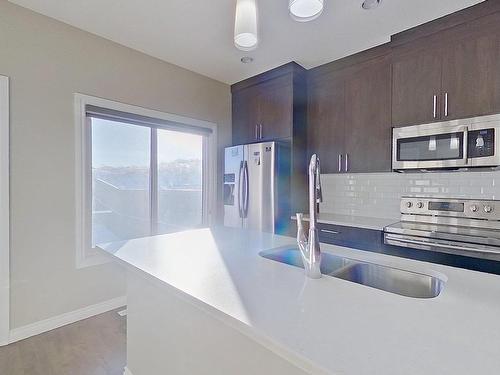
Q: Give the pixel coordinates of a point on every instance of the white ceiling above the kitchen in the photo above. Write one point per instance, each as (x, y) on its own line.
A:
(198, 34)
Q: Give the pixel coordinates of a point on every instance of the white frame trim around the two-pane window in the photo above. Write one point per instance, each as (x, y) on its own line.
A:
(86, 255)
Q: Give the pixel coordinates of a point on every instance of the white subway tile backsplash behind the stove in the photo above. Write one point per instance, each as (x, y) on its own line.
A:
(379, 194)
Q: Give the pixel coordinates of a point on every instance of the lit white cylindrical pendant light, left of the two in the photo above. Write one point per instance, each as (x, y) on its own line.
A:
(245, 25)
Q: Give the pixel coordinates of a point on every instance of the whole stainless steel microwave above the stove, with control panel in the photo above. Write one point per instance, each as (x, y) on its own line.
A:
(456, 144)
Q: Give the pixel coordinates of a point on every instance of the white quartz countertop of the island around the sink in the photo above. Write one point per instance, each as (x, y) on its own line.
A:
(327, 326)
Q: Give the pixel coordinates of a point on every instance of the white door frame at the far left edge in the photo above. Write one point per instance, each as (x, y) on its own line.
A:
(4, 212)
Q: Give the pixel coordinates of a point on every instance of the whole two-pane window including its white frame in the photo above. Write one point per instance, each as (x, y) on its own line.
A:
(141, 172)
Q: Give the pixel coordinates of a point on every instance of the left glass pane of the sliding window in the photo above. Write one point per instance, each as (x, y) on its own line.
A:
(121, 156)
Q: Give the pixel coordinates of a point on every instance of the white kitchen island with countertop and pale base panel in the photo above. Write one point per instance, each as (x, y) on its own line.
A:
(205, 302)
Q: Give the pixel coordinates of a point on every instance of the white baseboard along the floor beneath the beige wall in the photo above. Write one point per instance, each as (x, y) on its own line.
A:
(49, 324)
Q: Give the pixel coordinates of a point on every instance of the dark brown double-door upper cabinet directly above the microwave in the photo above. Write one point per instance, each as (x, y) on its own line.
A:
(450, 69)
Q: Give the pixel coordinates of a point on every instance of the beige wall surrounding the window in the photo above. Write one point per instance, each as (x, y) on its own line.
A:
(47, 62)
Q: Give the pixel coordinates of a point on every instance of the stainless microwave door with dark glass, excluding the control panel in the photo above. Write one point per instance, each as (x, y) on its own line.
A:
(429, 147)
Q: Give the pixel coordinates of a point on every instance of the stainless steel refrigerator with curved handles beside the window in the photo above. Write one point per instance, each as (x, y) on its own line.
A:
(257, 187)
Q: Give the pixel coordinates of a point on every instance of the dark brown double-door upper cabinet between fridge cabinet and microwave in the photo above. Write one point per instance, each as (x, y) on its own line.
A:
(349, 117)
